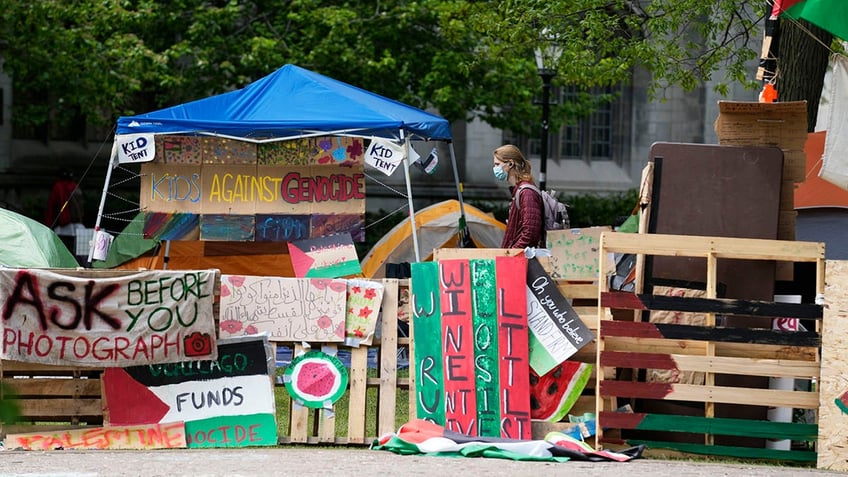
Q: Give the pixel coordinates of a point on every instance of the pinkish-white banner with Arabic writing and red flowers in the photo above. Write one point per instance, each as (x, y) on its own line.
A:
(288, 309)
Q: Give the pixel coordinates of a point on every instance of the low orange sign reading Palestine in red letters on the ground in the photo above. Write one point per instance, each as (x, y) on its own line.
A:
(139, 437)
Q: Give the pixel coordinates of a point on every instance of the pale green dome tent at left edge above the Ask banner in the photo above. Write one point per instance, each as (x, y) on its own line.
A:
(25, 243)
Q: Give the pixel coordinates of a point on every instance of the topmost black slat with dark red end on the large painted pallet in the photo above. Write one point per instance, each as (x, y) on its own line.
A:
(724, 306)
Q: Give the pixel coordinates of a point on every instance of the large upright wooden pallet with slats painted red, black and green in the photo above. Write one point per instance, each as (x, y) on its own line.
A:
(710, 415)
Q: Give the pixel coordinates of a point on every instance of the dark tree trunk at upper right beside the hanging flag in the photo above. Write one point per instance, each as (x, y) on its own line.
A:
(802, 62)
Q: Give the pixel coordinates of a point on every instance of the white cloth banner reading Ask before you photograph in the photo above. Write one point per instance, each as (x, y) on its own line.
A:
(143, 318)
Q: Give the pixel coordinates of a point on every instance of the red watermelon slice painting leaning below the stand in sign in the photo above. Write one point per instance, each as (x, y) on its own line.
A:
(553, 394)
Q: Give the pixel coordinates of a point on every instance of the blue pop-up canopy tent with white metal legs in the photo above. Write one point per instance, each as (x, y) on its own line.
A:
(294, 103)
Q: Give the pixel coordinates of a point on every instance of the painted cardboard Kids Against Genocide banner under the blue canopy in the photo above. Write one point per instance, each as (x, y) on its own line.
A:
(224, 189)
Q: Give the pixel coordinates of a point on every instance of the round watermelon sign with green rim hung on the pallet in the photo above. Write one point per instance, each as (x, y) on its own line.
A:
(316, 380)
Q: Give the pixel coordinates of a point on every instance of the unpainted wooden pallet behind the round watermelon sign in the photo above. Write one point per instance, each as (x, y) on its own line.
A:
(373, 402)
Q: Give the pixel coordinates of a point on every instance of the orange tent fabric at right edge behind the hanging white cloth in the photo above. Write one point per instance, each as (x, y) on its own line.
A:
(815, 191)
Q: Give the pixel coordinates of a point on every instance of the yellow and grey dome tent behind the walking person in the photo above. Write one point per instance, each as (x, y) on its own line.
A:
(437, 228)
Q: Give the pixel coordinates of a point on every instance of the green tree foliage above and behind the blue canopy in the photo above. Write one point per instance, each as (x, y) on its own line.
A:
(101, 59)
